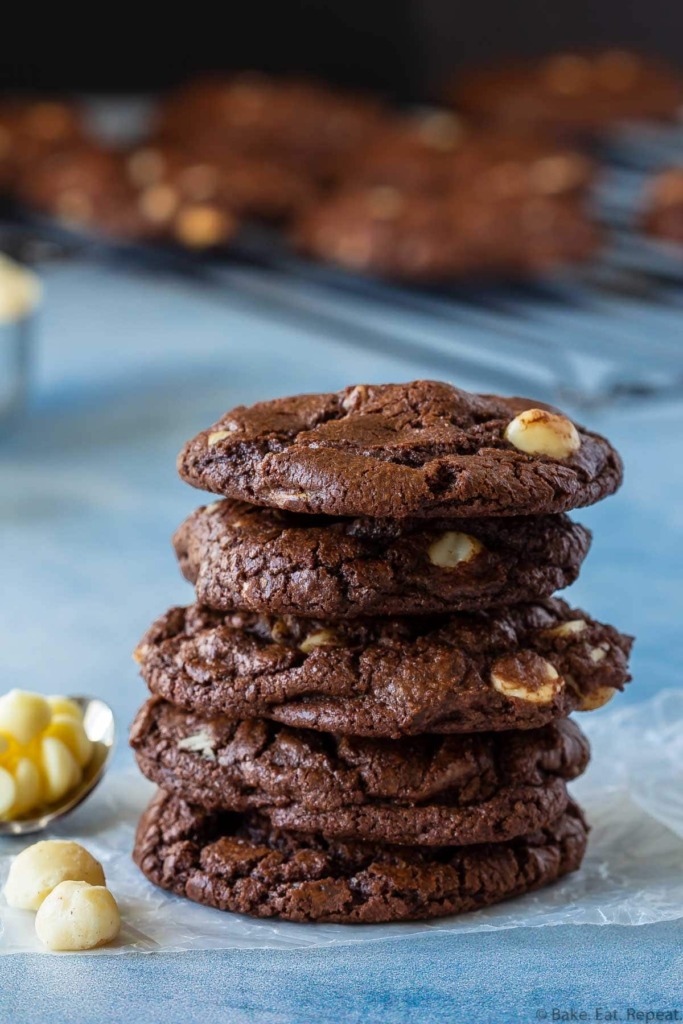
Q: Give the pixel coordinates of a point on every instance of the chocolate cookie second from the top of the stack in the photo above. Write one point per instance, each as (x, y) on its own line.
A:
(260, 560)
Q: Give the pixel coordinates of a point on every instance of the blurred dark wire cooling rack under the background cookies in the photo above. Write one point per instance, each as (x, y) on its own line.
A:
(610, 331)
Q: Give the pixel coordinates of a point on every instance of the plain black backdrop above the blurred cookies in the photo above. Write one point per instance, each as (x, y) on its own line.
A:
(403, 49)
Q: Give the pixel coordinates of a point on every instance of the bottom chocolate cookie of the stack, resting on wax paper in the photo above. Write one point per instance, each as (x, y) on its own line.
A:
(242, 864)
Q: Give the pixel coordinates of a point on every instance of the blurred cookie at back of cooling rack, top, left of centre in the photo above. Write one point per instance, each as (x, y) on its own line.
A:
(303, 124)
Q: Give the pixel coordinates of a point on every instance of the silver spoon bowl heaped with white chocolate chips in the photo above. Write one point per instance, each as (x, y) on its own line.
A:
(54, 753)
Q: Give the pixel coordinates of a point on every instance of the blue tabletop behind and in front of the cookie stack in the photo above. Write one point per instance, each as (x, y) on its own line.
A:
(127, 368)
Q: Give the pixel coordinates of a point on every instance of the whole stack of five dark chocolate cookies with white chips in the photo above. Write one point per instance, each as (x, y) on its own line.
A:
(365, 716)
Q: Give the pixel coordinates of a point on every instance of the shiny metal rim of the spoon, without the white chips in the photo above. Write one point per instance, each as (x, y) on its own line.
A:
(100, 728)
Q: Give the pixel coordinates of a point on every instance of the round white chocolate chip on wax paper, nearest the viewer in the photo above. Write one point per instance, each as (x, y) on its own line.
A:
(78, 916)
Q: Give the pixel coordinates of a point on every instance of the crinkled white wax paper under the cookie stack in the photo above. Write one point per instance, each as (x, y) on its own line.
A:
(633, 873)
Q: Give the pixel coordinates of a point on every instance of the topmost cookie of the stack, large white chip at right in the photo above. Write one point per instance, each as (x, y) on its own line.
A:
(425, 449)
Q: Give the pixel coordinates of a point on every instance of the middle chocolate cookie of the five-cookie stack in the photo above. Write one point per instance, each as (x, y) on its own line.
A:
(516, 669)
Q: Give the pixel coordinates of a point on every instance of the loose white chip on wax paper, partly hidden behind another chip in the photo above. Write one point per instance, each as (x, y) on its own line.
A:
(40, 868)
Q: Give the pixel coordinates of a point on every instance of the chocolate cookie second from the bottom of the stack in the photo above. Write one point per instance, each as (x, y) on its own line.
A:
(434, 791)
